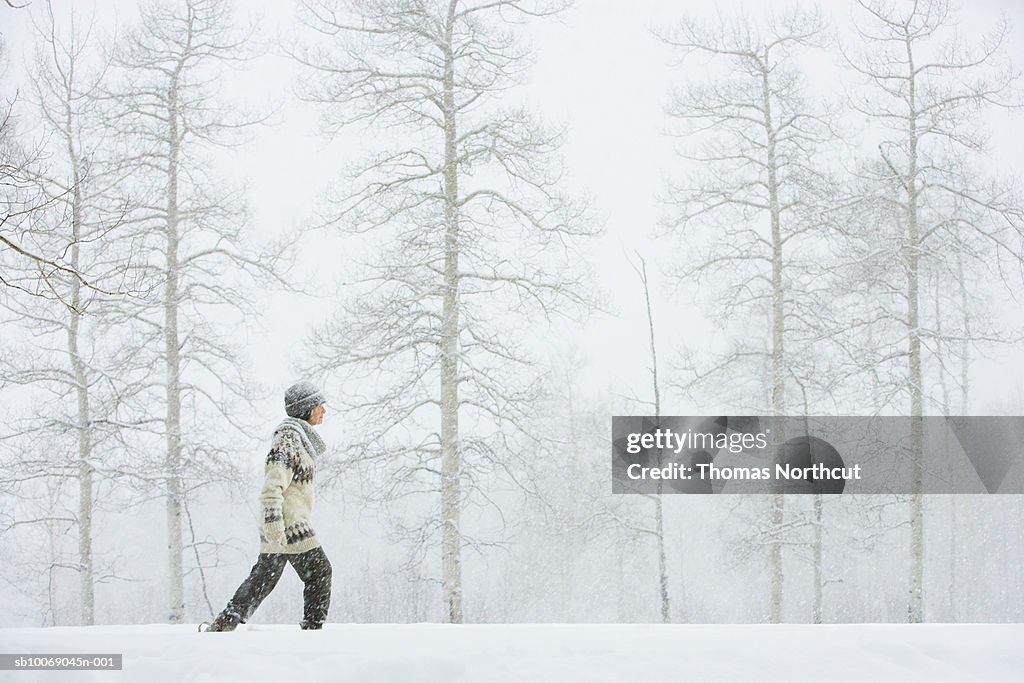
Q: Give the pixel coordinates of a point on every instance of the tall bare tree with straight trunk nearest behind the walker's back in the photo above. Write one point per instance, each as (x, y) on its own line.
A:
(164, 99)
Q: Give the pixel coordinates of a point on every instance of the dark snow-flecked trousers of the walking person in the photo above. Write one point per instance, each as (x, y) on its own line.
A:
(315, 571)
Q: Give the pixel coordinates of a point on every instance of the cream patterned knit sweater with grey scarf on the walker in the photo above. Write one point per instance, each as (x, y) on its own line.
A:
(287, 497)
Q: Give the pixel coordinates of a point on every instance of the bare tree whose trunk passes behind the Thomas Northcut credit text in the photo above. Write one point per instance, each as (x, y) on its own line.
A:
(750, 212)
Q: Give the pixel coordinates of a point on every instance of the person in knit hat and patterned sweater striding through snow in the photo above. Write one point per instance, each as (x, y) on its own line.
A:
(287, 500)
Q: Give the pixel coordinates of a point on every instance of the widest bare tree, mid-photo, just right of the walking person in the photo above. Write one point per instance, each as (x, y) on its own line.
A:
(477, 237)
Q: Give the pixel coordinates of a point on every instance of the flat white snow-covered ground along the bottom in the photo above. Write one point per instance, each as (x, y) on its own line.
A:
(563, 654)
